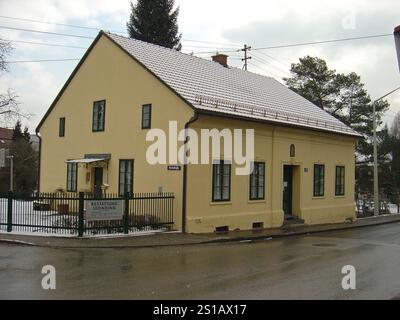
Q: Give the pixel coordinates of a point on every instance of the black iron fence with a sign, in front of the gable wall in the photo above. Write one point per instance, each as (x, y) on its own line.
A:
(86, 214)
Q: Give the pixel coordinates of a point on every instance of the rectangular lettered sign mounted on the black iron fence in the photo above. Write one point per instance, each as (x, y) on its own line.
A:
(100, 210)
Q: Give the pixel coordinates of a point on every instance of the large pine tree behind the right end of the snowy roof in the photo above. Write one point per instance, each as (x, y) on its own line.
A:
(343, 96)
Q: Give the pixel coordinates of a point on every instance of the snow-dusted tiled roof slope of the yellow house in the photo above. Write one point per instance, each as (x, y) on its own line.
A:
(211, 87)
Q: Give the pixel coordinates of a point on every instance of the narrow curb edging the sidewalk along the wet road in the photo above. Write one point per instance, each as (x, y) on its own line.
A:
(247, 239)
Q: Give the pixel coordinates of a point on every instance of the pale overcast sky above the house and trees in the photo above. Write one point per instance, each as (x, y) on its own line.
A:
(226, 23)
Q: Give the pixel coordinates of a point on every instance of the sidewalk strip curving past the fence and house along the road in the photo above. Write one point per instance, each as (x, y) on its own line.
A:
(178, 239)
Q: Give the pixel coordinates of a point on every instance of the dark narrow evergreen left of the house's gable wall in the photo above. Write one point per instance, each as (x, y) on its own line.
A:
(25, 160)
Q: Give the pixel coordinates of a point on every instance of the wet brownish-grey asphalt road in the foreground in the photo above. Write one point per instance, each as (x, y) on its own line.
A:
(307, 267)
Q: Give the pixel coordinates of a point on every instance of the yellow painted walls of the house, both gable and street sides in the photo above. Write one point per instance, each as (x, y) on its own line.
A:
(110, 74)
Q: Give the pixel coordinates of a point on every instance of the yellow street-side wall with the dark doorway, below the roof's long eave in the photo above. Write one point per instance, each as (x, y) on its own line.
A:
(272, 146)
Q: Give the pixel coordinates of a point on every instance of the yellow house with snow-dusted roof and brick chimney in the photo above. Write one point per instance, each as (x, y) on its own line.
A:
(93, 138)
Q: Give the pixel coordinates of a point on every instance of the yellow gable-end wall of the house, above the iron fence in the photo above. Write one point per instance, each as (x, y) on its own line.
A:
(110, 74)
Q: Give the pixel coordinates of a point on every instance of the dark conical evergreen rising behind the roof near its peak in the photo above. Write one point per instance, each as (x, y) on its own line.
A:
(155, 21)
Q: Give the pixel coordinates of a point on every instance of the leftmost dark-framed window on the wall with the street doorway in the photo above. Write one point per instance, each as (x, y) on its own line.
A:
(221, 181)
